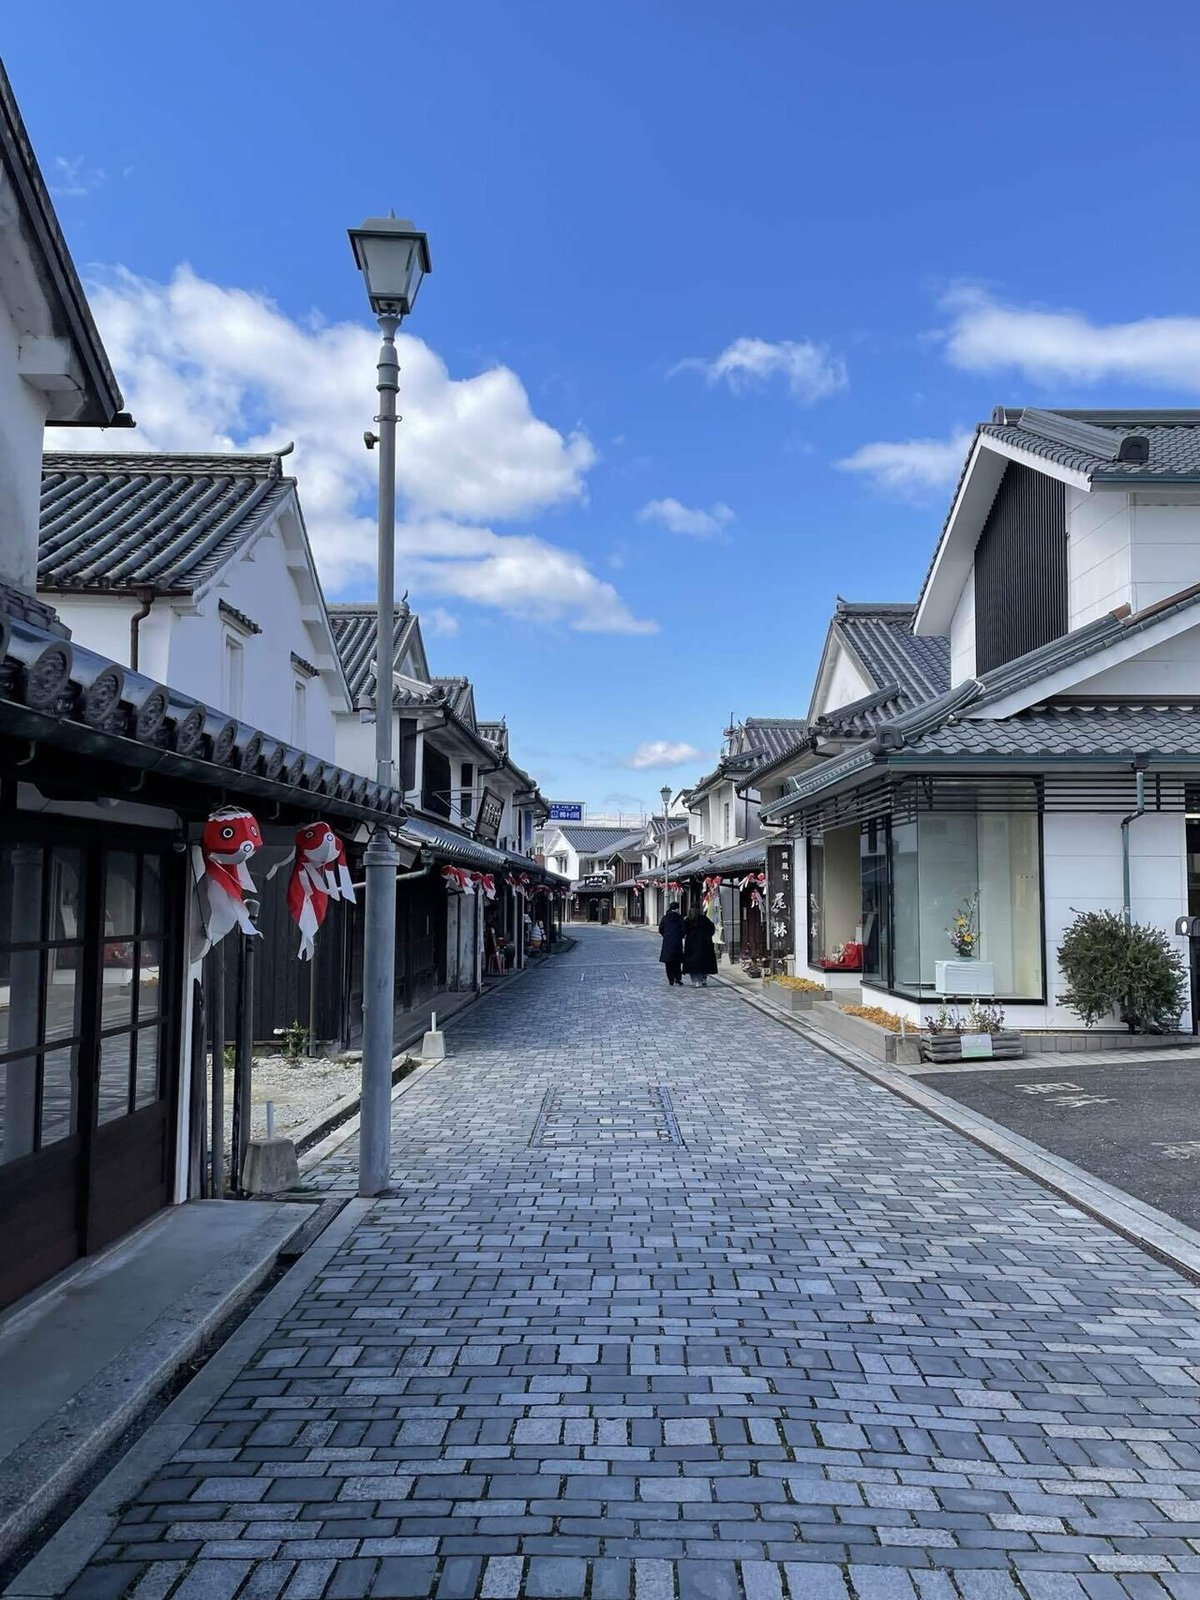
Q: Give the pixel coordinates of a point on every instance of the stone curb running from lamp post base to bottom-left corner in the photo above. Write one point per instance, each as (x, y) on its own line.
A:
(62, 1561)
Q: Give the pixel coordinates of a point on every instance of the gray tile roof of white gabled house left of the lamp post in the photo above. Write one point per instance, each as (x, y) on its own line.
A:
(151, 522)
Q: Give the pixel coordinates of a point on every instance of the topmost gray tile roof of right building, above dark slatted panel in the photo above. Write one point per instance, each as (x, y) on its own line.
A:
(1094, 442)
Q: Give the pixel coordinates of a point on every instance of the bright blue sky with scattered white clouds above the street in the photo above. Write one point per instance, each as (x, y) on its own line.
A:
(716, 294)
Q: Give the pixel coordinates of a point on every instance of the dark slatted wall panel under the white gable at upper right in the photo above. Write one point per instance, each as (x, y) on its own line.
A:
(1022, 569)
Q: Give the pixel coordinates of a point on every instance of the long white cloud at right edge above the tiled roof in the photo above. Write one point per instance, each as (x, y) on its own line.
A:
(1065, 346)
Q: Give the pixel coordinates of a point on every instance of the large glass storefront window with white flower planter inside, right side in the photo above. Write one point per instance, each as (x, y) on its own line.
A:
(897, 887)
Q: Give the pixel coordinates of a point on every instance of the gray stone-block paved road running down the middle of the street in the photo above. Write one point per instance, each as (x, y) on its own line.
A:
(820, 1348)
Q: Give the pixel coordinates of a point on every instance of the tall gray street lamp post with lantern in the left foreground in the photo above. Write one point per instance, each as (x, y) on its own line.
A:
(393, 258)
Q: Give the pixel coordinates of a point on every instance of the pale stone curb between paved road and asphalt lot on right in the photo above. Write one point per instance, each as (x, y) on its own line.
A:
(1153, 1231)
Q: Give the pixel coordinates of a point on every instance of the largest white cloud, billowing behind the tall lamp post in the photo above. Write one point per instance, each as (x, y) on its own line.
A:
(214, 369)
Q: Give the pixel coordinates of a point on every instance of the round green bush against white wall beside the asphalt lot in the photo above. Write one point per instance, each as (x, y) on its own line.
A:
(1134, 972)
